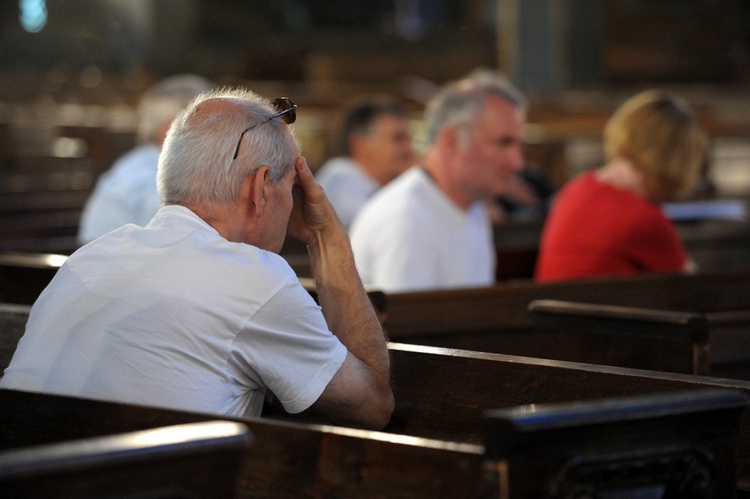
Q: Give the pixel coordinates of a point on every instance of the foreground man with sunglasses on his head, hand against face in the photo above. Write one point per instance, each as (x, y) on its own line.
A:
(197, 311)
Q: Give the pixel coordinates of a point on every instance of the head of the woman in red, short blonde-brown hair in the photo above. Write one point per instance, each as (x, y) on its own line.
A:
(658, 134)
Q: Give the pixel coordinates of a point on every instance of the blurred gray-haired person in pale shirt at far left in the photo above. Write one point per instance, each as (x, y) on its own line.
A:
(126, 193)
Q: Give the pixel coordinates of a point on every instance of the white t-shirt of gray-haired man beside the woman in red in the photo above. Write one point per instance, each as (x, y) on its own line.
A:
(410, 237)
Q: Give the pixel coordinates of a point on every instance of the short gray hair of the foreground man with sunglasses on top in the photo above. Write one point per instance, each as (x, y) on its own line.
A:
(196, 163)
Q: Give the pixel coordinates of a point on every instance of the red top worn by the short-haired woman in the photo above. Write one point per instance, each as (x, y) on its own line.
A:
(600, 230)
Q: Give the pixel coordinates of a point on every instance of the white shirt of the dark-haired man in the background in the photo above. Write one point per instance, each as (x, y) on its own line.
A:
(347, 185)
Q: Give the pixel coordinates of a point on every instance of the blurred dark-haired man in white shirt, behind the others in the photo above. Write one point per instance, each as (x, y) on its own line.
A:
(375, 147)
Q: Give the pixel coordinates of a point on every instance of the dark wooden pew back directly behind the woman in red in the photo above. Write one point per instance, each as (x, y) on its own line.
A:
(504, 306)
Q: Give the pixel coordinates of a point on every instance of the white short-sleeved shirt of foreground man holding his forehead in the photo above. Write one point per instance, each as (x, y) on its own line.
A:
(173, 315)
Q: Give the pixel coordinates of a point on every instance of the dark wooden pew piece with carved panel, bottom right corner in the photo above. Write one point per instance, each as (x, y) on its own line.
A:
(522, 460)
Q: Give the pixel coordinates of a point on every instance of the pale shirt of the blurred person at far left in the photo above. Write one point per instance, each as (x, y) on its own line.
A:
(126, 193)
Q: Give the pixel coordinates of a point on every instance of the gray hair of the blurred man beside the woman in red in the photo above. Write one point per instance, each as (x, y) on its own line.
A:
(459, 103)
